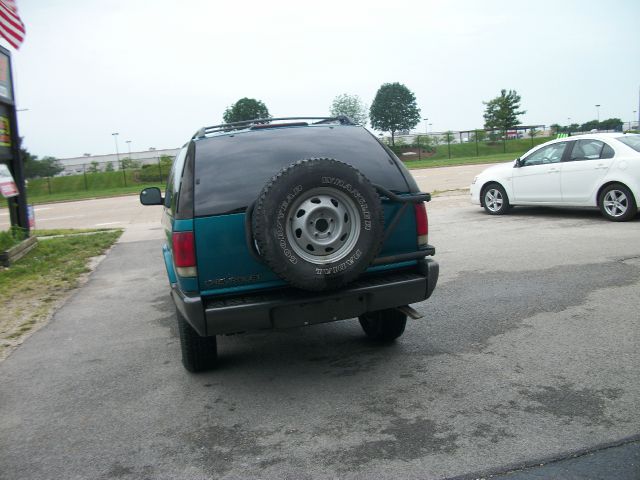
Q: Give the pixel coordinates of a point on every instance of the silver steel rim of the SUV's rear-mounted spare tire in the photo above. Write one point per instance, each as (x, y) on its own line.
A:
(323, 226)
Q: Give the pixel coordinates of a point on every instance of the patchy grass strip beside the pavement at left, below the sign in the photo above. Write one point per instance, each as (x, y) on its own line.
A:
(33, 287)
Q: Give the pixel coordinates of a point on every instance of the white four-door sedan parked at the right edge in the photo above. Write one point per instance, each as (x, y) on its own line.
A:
(594, 170)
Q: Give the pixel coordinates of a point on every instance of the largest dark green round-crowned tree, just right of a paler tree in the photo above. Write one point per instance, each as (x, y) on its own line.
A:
(394, 108)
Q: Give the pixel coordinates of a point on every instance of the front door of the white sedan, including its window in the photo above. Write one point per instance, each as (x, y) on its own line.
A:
(537, 179)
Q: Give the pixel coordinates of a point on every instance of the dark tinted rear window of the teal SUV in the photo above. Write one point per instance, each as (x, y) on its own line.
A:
(230, 170)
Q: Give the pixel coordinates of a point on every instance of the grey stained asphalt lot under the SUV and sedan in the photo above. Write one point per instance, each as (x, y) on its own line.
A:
(528, 353)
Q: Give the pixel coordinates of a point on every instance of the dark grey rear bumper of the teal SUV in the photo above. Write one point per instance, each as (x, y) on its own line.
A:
(291, 307)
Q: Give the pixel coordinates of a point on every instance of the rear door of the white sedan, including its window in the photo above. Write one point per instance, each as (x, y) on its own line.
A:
(584, 169)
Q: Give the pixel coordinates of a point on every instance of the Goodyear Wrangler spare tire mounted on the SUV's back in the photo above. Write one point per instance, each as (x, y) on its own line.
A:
(318, 224)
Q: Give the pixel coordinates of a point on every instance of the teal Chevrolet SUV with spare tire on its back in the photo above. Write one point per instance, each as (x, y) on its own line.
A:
(280, 223)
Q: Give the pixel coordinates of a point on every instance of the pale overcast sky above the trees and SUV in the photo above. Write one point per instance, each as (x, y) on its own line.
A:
(155, 72)
